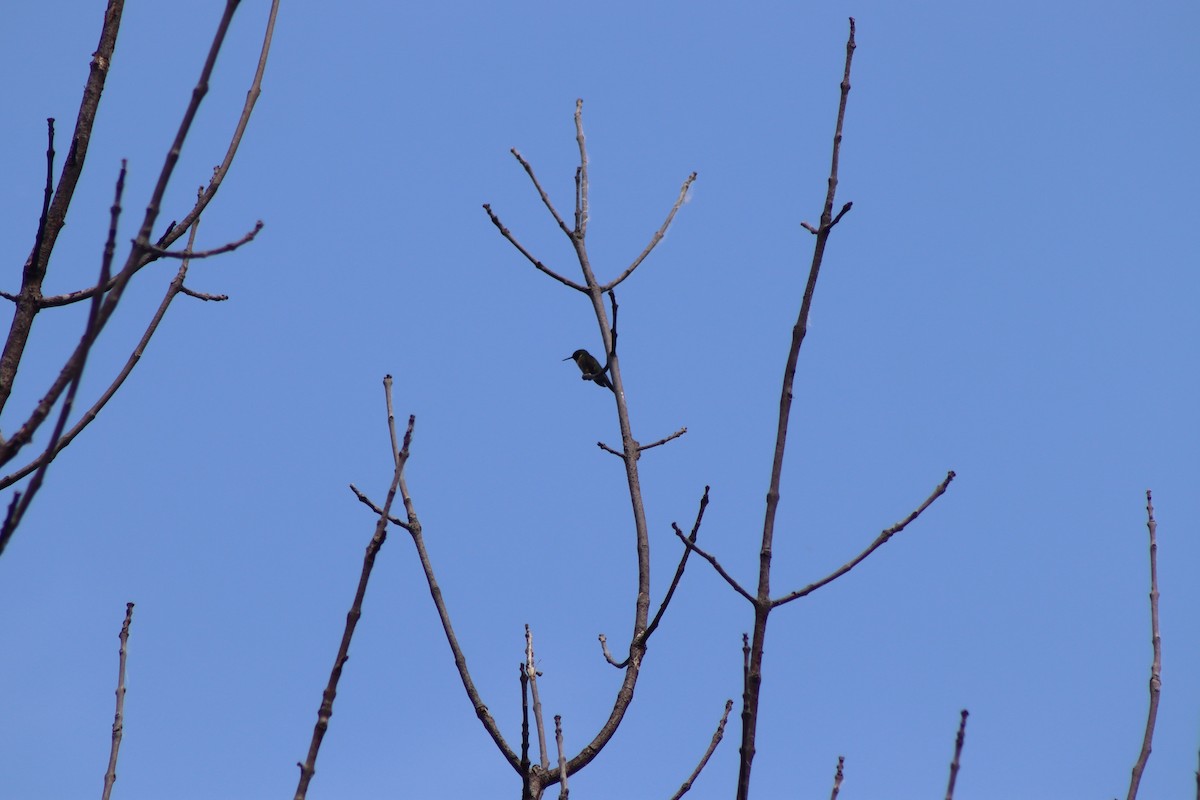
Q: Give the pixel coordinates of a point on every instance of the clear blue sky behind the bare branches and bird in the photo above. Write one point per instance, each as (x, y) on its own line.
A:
(1013, 297)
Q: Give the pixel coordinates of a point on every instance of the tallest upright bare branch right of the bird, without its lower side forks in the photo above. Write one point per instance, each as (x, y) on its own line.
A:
(763, 603)
